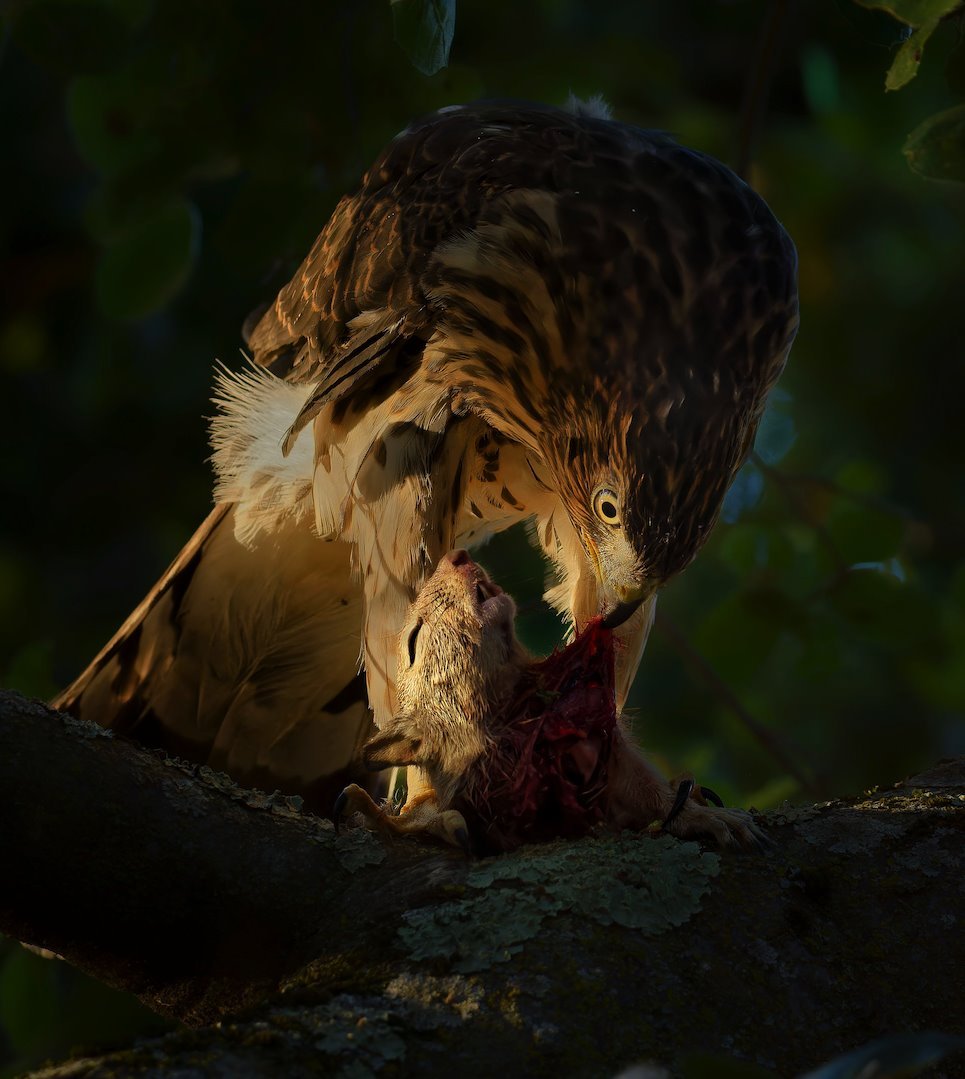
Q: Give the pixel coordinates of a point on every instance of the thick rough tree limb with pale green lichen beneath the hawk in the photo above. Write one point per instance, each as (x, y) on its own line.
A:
(323, 955)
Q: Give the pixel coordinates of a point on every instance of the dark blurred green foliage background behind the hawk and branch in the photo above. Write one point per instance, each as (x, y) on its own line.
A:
(167, 167)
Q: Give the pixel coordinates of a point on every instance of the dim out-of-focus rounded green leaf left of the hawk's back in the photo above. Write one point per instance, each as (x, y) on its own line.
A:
(147, 268)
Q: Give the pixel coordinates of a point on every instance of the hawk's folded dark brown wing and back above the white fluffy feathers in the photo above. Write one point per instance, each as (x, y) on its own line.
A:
(434, 182)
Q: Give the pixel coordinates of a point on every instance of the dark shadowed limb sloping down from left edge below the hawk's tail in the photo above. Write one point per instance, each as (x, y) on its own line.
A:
(169, 881)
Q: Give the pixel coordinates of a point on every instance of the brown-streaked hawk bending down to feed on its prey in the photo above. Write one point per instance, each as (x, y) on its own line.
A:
(524, 315)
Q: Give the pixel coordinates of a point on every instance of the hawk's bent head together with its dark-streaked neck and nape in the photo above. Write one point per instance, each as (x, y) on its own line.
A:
(627, 325)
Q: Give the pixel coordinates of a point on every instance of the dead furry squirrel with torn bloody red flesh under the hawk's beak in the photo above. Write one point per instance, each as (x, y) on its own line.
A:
(518, 749)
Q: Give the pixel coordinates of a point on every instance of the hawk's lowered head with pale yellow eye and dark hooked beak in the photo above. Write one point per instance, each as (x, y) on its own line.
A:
(644, 484)
